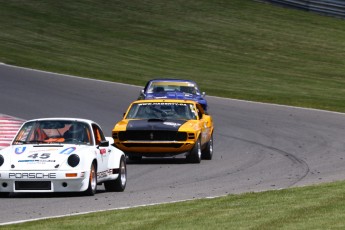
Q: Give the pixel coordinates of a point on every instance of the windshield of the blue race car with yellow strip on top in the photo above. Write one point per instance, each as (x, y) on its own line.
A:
(164, 87)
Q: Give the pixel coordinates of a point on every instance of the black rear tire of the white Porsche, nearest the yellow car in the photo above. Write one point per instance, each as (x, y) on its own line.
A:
(119, 184)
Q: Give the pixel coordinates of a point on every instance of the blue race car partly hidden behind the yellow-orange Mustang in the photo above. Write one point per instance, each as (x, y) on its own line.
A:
(173, 89)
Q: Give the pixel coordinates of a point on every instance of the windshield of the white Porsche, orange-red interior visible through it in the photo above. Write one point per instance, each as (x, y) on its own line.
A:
(53, 131)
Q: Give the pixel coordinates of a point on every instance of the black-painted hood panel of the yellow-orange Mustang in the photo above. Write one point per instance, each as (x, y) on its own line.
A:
(155, 124)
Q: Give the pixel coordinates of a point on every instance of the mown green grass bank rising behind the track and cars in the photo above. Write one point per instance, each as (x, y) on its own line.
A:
(232, 48)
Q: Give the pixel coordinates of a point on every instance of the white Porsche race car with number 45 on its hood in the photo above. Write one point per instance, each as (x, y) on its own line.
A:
(61, 155)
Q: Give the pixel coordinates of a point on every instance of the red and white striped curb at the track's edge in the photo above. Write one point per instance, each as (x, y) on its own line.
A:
(8, 129)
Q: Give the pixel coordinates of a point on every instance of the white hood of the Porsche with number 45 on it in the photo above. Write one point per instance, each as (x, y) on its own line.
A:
(38, 157)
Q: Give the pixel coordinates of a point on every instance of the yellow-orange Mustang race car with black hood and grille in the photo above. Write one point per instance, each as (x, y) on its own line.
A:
(160, 128)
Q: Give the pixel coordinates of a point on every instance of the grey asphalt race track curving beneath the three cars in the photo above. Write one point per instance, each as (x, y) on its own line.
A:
(257, 146)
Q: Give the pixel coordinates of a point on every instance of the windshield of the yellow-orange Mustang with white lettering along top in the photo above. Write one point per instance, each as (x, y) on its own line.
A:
(162, 110)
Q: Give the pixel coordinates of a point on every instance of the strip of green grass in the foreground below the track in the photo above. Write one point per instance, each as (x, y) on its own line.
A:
(312, 207)
